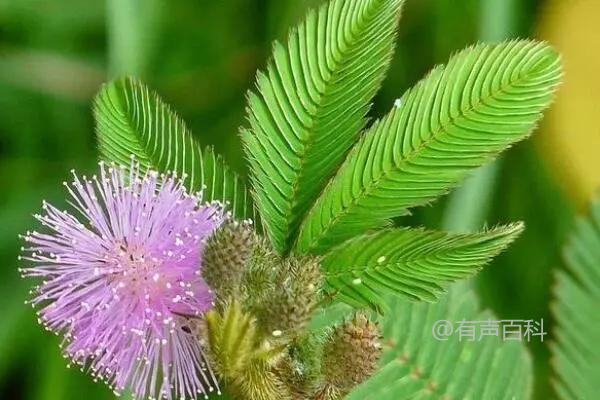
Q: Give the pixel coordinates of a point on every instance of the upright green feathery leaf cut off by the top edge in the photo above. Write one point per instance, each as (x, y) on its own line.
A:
(310, 106)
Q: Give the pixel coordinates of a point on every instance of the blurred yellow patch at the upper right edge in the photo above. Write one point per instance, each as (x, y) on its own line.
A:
(571, 136)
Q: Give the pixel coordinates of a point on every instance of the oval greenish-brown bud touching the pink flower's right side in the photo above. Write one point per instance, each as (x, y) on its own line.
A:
(225, 258)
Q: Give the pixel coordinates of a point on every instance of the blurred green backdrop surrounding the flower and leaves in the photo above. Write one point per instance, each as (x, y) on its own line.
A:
(201, 56)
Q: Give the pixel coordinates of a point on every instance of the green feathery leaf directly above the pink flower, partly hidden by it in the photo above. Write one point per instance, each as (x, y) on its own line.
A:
(132, 120)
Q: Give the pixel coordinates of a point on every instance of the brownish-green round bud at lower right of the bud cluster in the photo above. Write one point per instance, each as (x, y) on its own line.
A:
(351, 353)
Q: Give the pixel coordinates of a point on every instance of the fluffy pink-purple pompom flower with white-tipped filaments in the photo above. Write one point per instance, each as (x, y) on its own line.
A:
(121, 280)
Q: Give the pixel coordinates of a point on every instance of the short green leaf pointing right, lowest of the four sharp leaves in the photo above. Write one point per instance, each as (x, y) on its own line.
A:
(409, 262)
